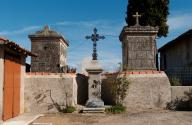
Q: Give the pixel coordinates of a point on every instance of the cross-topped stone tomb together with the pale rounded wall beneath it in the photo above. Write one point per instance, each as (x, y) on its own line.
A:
(147, 90)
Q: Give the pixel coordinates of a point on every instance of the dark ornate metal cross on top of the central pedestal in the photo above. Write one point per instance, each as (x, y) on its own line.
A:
(95, 37)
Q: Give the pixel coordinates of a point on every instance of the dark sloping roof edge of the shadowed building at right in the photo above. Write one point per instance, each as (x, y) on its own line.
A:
(187, 34)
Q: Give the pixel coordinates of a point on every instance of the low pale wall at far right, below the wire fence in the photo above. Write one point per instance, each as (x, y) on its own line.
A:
(179, 91)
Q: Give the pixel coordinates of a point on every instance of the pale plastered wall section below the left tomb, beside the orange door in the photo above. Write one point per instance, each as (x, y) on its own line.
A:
(42, 91)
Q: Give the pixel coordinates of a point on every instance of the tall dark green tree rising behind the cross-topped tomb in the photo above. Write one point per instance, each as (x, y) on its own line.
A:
(153, 13)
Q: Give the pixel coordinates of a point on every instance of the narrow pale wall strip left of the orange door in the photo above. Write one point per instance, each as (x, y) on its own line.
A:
(1, 80)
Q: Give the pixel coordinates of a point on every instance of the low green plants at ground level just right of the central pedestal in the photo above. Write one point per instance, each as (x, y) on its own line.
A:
(118, 108)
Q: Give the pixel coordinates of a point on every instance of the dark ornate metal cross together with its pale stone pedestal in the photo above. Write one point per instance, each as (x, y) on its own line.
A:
(94, 102)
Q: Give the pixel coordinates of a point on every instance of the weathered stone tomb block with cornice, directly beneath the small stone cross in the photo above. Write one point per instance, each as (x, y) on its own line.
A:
(139, 47)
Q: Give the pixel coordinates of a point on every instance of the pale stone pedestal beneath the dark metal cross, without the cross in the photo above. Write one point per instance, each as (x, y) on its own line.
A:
(94, 89)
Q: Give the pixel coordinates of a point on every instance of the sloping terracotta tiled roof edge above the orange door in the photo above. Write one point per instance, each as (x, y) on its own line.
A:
(12, 45)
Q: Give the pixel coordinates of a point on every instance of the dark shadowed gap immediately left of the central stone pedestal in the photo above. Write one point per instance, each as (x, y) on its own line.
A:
(82, 89)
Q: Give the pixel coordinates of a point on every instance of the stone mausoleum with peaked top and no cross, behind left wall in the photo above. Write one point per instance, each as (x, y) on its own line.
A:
(51, 48)
